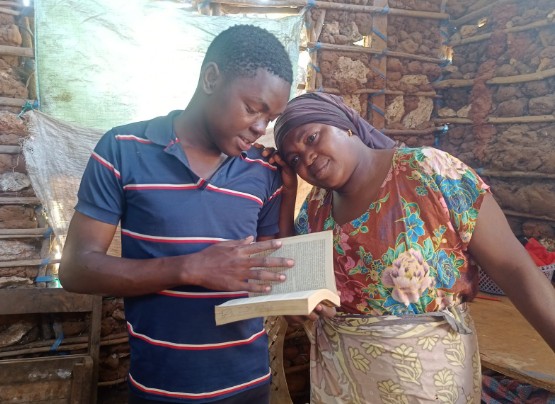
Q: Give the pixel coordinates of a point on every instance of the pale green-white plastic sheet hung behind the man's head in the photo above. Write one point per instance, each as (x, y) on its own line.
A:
(102, 63)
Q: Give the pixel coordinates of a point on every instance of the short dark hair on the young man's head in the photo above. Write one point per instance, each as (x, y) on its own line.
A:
(242, 49)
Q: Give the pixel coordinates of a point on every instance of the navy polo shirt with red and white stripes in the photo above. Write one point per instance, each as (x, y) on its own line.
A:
(139, 175)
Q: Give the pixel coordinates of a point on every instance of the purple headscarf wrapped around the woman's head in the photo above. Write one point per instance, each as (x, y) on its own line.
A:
(330, 110)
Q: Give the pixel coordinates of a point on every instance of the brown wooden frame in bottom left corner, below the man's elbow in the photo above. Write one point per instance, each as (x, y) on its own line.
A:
(55, 379)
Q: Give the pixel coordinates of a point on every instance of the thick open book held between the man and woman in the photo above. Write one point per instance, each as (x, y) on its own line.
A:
(308, 283)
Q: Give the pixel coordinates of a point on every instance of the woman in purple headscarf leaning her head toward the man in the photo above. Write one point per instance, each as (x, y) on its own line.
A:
(408, 225)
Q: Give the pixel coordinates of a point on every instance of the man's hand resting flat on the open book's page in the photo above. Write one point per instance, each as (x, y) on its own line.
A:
(230, 264)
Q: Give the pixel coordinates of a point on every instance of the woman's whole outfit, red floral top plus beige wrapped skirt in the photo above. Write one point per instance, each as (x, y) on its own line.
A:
(402, 333)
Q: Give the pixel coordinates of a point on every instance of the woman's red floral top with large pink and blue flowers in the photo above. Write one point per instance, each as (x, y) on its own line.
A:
(408, 252)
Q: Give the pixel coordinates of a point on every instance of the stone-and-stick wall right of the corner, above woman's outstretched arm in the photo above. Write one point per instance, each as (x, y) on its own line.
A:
(501, 85)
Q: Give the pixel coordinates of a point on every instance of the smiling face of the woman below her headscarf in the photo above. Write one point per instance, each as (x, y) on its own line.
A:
(319, 154)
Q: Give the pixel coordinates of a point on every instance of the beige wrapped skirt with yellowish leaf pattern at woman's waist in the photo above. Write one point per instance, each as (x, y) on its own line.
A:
(424, 358)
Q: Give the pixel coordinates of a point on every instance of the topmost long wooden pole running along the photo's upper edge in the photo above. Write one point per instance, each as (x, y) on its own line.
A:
(340, 6)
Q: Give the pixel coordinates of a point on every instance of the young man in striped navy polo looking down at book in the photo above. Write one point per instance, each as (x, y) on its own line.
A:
(191, 196)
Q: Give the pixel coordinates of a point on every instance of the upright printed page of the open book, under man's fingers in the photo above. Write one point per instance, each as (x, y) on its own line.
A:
(313, 255)
